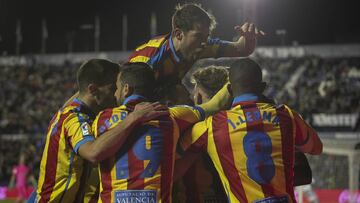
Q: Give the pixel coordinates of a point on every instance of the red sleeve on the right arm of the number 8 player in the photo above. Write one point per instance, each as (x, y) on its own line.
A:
(306, 138)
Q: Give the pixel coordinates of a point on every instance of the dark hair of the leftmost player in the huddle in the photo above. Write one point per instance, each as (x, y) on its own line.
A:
(96, 71)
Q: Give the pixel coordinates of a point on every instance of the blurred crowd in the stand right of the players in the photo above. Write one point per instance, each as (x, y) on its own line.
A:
(314, 85)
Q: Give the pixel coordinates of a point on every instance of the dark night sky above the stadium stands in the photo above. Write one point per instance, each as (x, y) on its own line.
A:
(305, 21)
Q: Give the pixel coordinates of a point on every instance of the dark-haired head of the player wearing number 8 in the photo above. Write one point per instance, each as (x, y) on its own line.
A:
(245, 76)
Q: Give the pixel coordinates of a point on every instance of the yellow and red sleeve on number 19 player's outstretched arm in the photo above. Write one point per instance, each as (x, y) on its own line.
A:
(185, 116)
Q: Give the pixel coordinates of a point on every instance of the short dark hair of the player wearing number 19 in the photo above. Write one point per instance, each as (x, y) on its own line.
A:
(139, 76)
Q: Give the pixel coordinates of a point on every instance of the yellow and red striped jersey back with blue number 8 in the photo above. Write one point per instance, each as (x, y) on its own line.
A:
(252, 147)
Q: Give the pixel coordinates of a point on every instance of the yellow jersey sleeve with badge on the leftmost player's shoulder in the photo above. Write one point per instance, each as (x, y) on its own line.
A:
(78, 130)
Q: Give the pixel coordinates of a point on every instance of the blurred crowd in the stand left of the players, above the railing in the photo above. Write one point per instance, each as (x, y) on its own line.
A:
(29, 96)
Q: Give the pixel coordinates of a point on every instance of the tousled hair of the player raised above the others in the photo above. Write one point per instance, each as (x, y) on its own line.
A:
(189, 14)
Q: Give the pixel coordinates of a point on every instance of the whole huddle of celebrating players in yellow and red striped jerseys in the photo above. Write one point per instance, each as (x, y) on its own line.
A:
(131, 133)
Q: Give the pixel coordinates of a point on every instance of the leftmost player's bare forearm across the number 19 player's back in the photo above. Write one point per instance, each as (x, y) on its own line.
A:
(112, 140)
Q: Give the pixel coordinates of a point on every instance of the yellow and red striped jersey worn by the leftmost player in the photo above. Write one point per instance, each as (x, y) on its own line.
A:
(63, 173)
